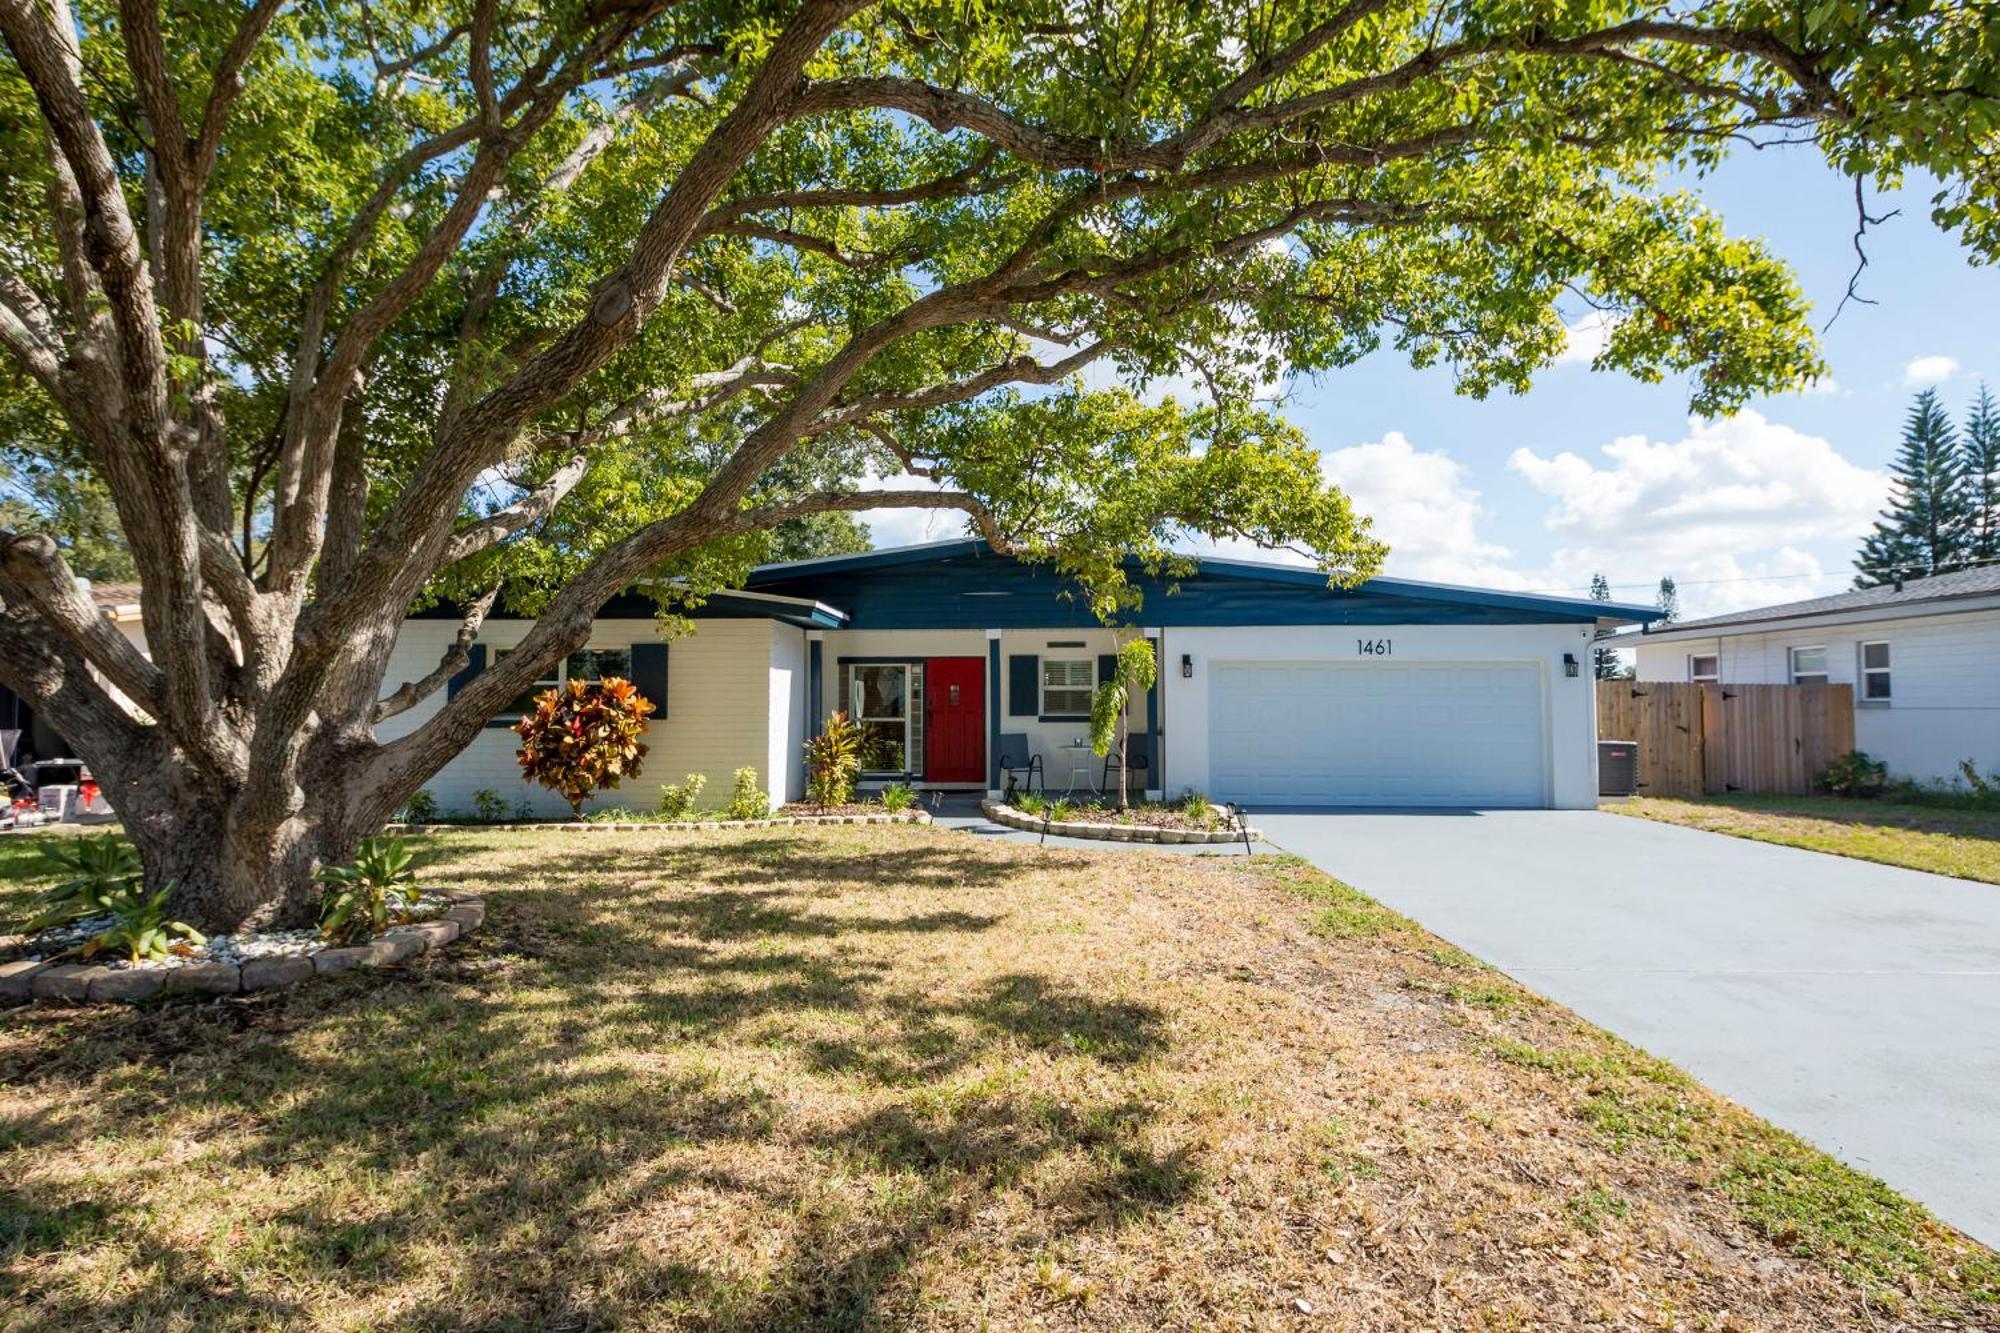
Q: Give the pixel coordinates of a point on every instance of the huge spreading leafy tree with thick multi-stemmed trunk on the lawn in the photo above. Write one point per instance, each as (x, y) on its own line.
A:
(353, 305)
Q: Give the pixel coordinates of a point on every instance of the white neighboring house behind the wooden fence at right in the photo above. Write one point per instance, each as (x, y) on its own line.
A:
(1923, 657)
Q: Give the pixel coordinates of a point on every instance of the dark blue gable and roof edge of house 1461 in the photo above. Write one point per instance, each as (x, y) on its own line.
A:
(893, 589)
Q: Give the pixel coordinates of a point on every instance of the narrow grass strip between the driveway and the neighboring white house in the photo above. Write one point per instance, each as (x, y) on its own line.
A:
(1923, 838)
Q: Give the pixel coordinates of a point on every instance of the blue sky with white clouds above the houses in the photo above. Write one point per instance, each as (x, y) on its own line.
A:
(1595, 471)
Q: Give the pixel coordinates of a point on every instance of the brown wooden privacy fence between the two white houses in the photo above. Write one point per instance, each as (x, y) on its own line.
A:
(1709, 740)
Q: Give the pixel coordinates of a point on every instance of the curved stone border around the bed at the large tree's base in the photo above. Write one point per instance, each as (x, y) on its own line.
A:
(93, 984)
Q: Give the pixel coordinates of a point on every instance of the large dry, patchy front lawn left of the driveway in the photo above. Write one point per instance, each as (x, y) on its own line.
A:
(901, 1078)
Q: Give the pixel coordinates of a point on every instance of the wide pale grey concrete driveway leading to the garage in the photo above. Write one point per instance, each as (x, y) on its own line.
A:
(1853, 1004)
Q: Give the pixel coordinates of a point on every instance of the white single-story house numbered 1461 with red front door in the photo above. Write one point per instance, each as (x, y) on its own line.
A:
(1273, 688)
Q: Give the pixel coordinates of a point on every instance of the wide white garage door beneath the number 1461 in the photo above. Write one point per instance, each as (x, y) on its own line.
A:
(1351, 734)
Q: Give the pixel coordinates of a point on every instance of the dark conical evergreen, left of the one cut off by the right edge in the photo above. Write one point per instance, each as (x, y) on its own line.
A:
(1927, 525)
